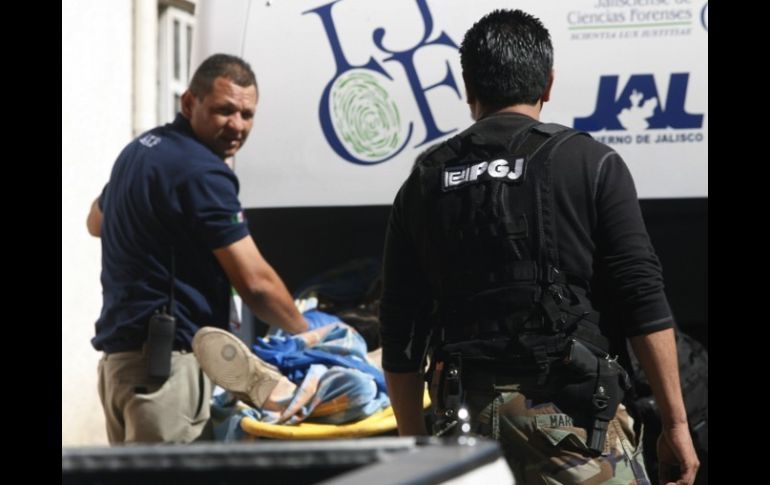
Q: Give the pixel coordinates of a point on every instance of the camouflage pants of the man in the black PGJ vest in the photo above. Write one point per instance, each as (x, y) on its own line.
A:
(543, 446)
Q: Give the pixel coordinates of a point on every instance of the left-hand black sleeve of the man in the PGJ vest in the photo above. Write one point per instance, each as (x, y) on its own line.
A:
(405, 288)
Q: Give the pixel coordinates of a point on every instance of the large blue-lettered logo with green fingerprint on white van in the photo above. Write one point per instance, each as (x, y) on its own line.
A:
(358, 116)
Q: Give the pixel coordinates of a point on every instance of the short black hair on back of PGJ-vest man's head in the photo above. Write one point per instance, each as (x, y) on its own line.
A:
(507, 58)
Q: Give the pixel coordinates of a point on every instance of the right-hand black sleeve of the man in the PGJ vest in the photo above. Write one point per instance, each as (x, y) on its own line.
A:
(626, 257)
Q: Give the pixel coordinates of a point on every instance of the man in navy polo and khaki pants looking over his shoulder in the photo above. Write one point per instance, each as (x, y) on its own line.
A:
(170, 217)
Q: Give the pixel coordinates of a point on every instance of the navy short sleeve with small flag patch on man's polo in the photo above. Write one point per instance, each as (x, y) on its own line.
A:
(210, 207)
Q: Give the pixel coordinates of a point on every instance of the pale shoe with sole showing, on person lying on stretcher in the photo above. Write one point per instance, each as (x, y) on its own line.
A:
(231, 365)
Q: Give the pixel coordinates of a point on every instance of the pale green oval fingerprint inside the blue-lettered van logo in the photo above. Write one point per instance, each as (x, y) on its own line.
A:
(364, 117)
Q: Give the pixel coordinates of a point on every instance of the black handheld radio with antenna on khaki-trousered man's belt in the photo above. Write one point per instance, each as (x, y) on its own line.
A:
(161, 330)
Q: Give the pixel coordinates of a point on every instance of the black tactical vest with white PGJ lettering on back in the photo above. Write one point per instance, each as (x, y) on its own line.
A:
(494, 245)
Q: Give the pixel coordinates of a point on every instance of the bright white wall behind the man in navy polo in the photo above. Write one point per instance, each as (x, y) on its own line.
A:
(96, 124)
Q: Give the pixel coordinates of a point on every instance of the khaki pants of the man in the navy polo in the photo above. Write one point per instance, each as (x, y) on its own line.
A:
(139, 409)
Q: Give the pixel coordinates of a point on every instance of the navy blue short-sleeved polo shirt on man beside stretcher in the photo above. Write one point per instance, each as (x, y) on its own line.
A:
(167, 194)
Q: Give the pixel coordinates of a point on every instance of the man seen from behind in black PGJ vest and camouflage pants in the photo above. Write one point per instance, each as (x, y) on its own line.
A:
(493, 246)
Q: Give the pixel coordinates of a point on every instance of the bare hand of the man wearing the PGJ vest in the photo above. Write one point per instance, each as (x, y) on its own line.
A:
(677, 461)
